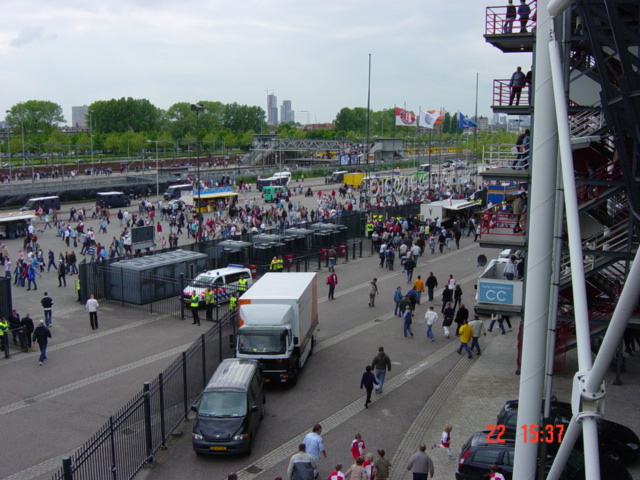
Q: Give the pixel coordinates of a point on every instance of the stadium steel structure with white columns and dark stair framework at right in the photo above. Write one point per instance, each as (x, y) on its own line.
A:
(584, 173)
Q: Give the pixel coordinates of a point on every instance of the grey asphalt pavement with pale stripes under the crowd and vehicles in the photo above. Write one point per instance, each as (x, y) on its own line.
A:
(49, 411)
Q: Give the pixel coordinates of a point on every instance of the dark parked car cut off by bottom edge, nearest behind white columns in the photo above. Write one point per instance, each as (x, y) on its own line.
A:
(483, 450)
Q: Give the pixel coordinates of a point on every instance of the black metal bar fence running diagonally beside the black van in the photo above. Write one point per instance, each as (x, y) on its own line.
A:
(132, 436)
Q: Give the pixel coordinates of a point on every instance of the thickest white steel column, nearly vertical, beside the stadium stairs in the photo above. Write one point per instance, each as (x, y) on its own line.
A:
(540, 253)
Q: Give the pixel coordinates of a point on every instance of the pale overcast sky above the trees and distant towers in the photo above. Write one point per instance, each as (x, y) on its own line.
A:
(424, 53)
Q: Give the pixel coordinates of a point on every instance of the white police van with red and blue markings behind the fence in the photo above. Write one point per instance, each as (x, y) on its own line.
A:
(223, 281)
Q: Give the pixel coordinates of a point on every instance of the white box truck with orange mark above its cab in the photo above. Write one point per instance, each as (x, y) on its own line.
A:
(278, 319)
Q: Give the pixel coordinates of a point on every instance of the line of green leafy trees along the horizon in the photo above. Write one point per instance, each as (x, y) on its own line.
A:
(129, 125)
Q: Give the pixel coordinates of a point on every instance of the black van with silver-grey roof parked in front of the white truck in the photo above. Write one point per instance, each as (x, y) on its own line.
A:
(230, 408)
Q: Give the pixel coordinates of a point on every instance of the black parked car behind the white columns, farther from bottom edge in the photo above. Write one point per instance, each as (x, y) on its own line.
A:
(617, 442)
